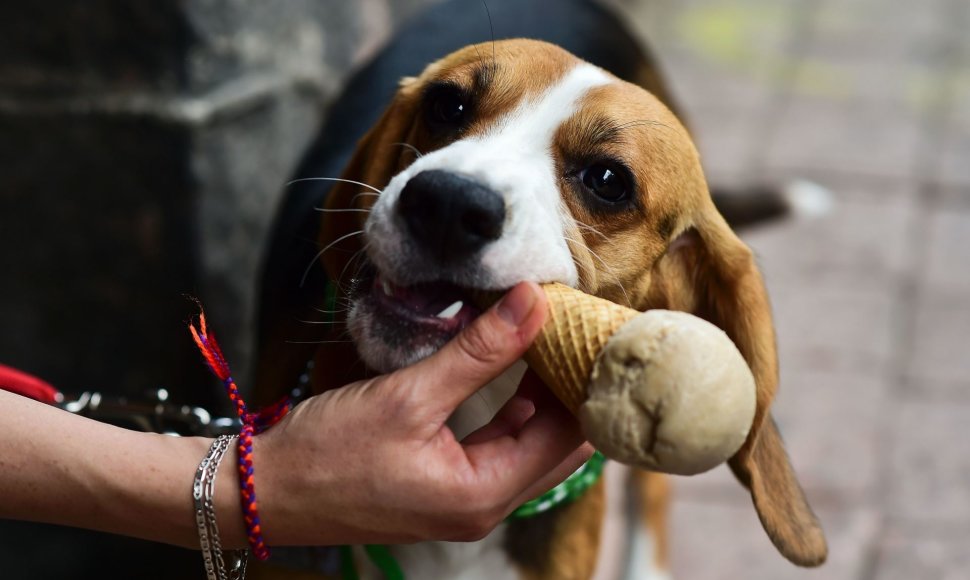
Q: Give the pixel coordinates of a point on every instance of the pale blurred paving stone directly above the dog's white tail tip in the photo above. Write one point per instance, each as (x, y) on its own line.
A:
(855, 114)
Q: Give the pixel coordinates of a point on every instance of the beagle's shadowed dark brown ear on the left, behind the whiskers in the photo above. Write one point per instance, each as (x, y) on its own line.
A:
(379, 155)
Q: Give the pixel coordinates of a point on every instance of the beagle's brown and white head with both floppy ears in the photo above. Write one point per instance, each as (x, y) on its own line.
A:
(514, 161)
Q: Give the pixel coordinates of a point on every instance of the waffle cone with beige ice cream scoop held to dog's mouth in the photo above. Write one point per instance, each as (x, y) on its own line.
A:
(660, 390)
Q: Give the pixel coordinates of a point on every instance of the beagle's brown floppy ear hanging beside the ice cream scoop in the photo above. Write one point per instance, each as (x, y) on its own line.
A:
(712, 273)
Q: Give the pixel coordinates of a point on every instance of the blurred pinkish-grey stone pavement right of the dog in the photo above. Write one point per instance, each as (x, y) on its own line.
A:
(870, 98)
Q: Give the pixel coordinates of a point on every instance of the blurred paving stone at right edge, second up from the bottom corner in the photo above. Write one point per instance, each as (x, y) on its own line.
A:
(930, 465)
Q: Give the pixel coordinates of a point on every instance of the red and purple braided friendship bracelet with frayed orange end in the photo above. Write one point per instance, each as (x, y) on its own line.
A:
(252, 423)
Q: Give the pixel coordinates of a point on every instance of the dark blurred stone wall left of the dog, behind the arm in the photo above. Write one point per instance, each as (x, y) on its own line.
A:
(143, 147)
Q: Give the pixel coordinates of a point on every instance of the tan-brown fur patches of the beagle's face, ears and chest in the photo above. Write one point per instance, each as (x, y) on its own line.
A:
(678, 253)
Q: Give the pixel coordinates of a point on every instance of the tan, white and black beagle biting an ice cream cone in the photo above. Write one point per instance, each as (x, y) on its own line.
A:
(513, 160)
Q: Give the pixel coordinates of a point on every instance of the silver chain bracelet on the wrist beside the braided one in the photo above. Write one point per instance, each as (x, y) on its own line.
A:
(203, 491)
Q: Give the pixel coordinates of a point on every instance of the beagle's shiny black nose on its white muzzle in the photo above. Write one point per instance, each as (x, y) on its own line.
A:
(449, 215)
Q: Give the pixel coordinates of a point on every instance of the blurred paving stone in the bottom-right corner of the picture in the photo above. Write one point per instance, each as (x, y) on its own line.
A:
(906, 554)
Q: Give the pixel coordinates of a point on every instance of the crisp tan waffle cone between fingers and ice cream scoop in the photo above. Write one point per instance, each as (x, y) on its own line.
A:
(577, 329)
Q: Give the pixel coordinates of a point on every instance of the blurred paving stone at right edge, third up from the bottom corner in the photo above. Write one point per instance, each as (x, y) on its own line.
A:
(939, 360)
